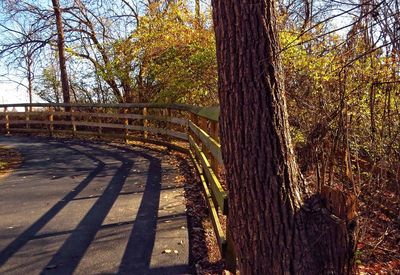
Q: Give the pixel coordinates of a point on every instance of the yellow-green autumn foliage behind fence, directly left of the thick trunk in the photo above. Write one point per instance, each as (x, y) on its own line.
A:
(174, 53)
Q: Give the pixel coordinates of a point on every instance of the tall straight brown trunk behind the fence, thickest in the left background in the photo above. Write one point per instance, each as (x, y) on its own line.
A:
(61, 51)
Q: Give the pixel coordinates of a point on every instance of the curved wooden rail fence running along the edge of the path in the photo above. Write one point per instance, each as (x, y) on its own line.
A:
(193, 130)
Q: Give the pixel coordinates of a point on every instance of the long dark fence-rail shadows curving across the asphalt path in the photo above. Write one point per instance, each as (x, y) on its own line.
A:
(137, 255)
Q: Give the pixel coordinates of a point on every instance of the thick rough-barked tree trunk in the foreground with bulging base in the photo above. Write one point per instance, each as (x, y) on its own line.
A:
(275, 228)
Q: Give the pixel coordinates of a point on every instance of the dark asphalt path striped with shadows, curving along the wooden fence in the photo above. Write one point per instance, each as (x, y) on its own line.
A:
(77, 207)
